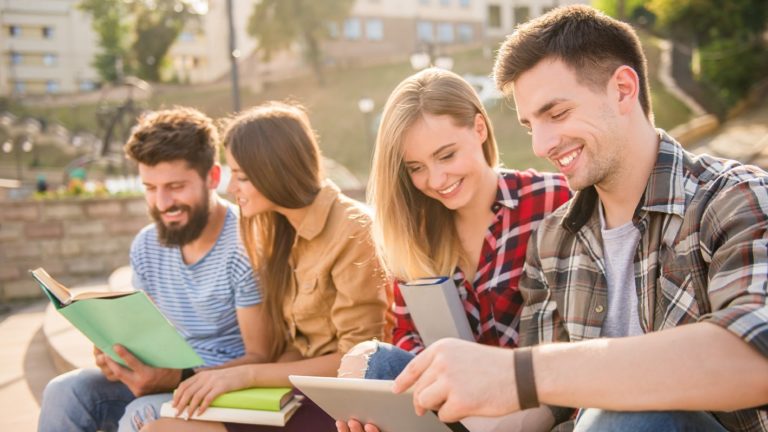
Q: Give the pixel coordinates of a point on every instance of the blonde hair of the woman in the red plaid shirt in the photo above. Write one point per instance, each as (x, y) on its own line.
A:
(415, 235)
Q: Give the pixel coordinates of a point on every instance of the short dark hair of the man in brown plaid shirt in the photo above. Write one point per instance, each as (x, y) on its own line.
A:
(589, 42)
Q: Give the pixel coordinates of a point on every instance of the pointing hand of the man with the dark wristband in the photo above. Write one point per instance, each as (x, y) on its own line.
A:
(459, 379)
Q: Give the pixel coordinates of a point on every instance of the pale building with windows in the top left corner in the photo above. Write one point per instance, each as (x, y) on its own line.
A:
(46, 46)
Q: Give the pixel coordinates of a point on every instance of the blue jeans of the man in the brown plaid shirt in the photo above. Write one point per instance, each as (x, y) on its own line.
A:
(596, 420)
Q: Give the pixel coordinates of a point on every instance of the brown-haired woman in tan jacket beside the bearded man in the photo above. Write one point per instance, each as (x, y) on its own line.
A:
(323, 288)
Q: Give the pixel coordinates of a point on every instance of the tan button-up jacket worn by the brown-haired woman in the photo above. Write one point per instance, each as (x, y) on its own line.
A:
(339, 294)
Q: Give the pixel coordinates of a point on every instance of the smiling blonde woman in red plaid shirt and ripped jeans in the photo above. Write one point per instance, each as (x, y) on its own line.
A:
(443, 206)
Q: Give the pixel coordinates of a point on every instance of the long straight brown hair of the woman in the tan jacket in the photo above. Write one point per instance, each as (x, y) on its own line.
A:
(276, 149)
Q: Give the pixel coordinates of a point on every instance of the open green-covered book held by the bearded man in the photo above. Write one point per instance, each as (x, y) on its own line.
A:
(128, 318)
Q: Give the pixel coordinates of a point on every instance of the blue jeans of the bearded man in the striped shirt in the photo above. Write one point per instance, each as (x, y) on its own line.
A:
(84, 400)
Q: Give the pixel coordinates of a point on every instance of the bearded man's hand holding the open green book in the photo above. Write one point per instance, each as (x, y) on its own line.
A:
(140, 378)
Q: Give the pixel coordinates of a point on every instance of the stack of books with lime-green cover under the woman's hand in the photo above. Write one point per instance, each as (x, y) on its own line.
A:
(262, 406)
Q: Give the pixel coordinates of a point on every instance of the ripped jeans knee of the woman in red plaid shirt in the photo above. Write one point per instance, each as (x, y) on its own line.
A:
(374, 360)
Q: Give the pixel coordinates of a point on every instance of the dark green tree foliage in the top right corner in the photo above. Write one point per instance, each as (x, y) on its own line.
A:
(728, 36)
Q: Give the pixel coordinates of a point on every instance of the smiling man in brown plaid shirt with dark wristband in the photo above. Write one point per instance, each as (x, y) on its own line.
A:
(646, 296)
